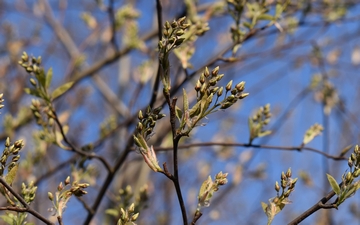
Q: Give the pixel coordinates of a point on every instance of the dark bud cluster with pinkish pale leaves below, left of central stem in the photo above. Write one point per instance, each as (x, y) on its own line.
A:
(144, 130)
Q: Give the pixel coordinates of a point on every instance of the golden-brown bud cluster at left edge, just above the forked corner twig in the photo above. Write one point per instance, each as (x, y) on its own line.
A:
(10, 151)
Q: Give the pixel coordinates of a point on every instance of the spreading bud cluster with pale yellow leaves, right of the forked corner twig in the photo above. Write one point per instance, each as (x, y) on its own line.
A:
(64, 193)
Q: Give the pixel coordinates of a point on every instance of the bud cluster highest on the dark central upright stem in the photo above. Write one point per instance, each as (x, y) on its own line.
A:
(172, 34)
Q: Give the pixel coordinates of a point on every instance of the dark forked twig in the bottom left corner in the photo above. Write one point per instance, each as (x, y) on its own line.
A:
(23, 202)
